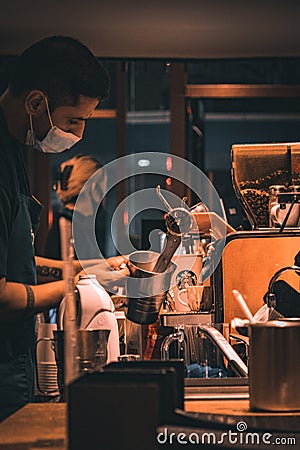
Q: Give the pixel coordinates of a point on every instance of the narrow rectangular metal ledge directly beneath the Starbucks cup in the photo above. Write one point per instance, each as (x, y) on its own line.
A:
(173, 319)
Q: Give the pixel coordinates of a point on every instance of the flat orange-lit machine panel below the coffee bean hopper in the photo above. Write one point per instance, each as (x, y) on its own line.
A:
(249, 260)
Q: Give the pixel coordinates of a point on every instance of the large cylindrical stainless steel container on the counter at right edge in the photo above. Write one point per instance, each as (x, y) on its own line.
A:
(274, 365)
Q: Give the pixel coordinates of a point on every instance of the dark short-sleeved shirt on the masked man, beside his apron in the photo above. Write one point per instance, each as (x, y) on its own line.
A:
(13, 181)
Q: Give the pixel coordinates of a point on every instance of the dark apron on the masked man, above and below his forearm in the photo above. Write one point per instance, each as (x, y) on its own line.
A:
(17, 339)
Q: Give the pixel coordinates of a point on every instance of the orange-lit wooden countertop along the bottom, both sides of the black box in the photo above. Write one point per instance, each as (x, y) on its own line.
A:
(43, 425)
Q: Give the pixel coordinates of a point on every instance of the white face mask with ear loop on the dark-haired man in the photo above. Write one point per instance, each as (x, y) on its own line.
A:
(56, 140)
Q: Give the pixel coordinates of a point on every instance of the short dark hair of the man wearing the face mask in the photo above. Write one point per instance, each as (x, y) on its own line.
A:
(63, 68)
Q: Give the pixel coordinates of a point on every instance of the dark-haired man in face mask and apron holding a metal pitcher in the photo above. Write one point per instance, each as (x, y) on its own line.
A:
(56, 85)
